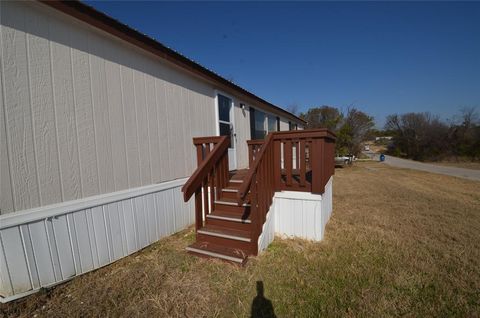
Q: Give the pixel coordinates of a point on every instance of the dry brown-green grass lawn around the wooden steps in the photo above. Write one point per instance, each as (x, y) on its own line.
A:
(400, 242)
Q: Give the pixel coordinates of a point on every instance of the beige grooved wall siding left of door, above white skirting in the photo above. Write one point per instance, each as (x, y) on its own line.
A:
(85, 113)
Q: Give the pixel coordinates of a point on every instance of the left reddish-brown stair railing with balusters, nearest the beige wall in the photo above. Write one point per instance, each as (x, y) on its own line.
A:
(210, 177)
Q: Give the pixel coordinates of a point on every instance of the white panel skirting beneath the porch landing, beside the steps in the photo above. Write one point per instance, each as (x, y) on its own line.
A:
(297, 214)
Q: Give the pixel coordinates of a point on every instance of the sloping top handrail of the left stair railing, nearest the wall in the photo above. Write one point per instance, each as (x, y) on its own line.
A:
(195, 181)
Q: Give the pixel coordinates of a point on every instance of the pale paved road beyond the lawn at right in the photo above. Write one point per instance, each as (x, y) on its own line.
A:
(450, 171)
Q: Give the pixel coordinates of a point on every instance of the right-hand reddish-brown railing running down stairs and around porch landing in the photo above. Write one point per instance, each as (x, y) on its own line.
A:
(298, 161)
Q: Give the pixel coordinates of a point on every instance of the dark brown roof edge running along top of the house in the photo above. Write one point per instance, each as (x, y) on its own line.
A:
(102, 21)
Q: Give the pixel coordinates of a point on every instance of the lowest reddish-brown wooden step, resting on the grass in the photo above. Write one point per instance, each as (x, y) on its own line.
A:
(207, 249)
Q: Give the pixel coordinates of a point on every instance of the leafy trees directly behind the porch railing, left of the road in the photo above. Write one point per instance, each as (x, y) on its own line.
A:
(352, 126)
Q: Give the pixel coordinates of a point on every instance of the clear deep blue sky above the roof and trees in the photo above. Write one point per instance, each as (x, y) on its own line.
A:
(383, 58)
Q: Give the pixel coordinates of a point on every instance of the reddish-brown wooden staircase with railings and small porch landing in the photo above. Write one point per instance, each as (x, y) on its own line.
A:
(231, 207)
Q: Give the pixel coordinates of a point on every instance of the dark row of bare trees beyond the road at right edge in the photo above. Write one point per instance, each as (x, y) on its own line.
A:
(423, 136)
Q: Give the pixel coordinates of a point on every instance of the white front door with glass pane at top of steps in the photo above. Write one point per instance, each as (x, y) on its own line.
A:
(226, 126)
